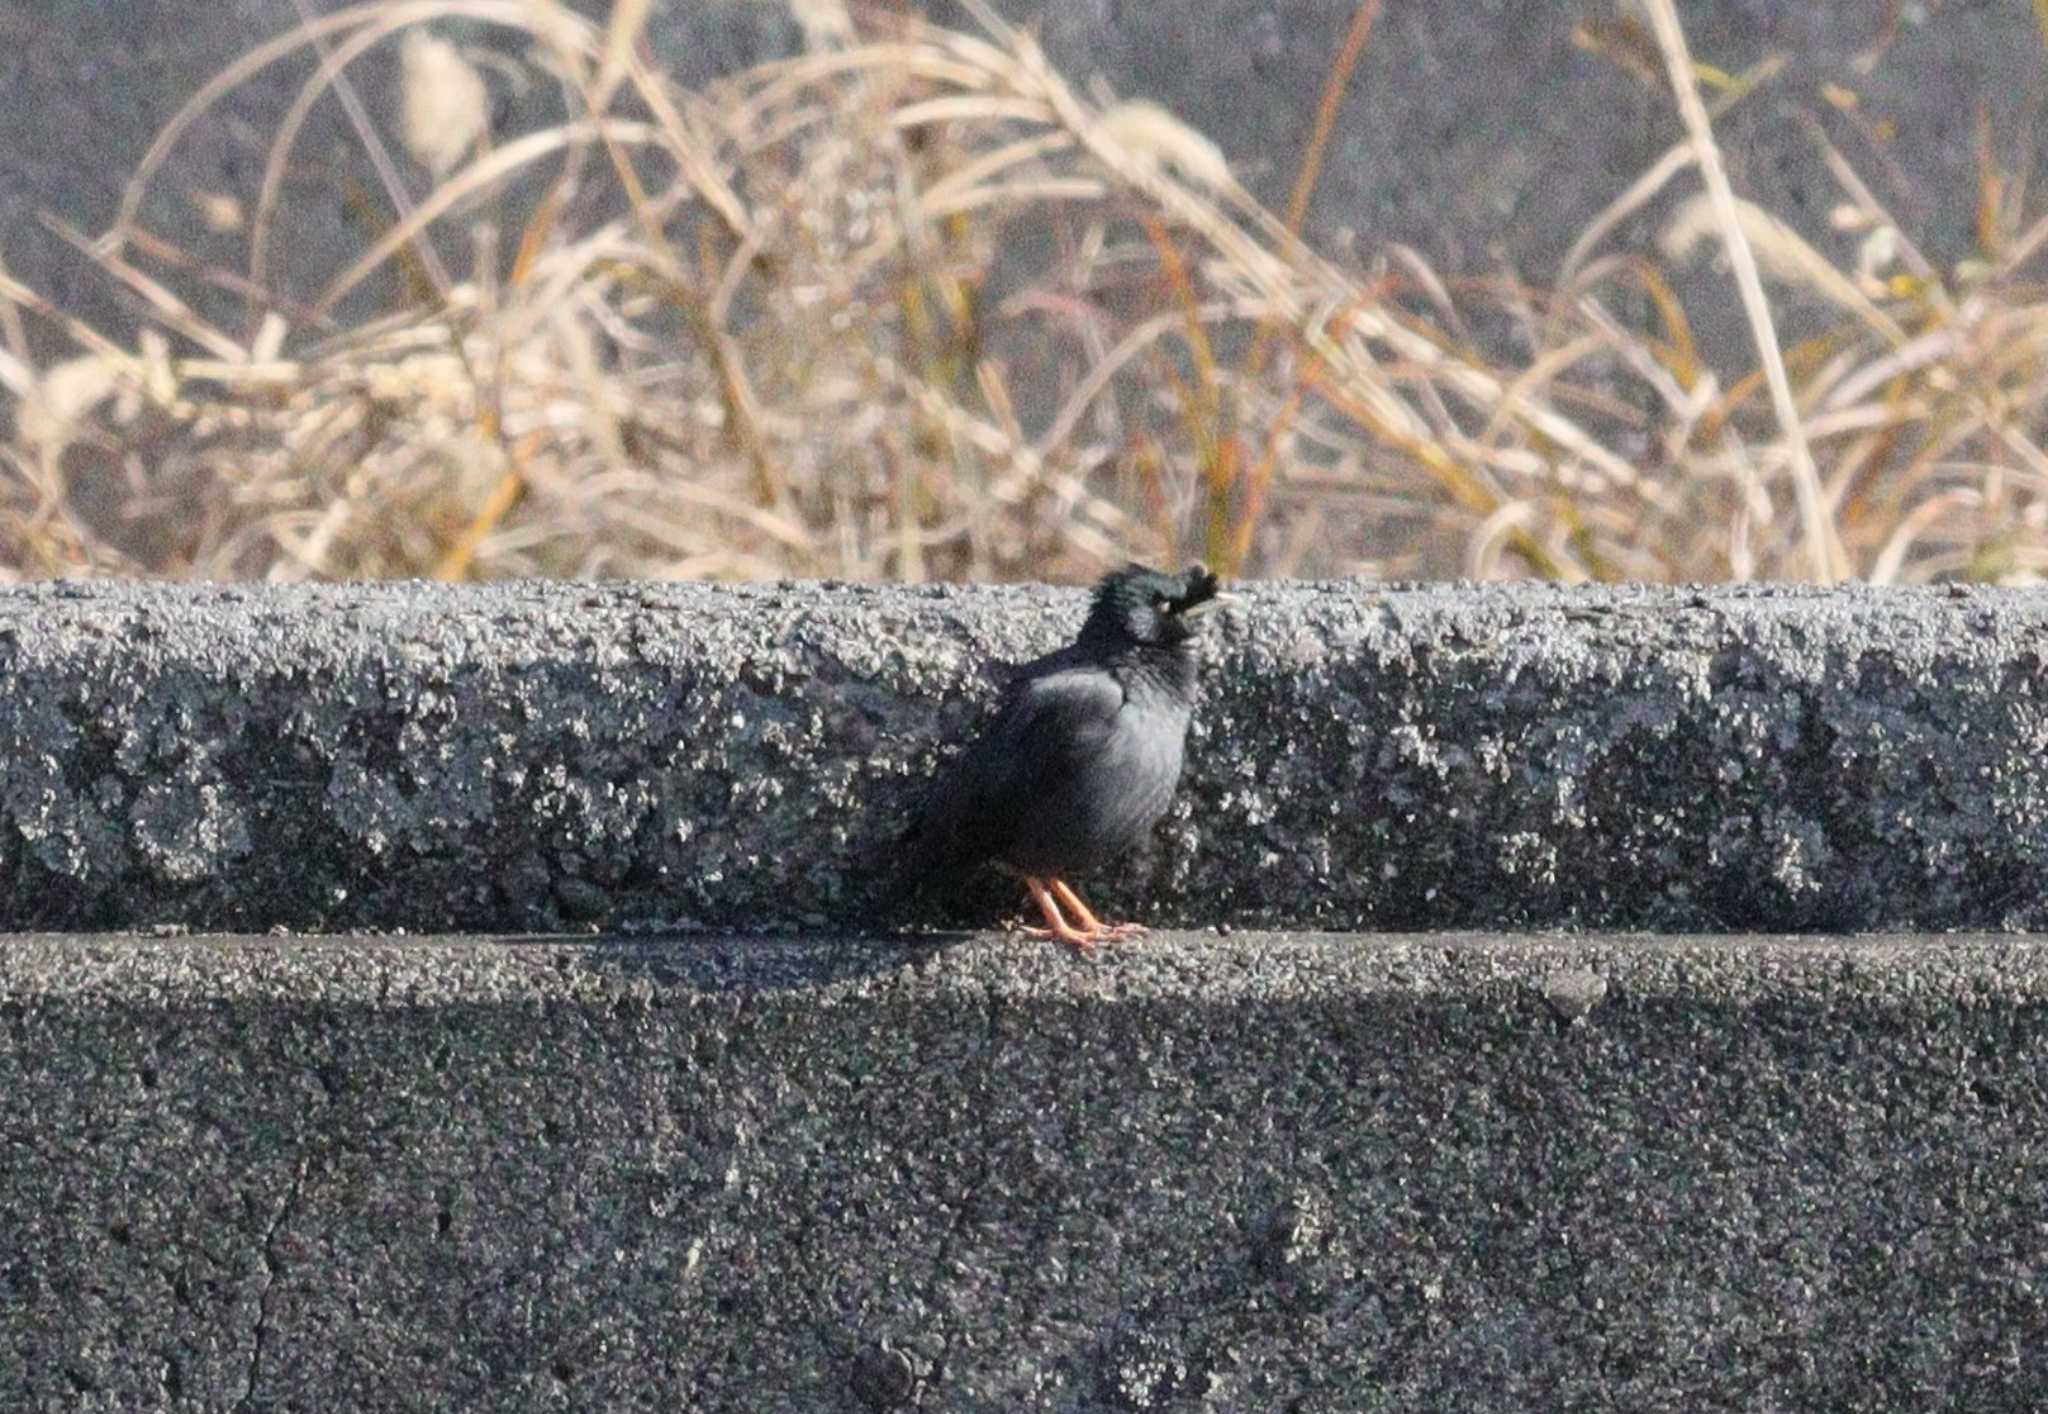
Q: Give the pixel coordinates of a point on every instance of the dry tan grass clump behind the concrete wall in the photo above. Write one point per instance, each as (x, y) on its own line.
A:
(796, 351)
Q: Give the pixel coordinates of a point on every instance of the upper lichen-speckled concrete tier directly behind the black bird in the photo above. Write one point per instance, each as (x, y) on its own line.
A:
(689, 757)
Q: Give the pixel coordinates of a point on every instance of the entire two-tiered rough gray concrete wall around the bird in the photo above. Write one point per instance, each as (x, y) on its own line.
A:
(830, 1167)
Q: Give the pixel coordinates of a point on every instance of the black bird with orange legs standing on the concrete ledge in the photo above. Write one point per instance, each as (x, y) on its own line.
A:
(1082, 757)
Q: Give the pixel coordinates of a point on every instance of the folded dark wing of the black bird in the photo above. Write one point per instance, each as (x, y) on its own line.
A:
(1050, 729)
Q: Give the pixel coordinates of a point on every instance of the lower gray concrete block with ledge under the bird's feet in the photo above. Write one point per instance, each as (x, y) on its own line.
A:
(1246, 1173)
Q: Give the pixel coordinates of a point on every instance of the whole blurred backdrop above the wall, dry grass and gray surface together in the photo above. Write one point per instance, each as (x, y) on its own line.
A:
(894, 292)
